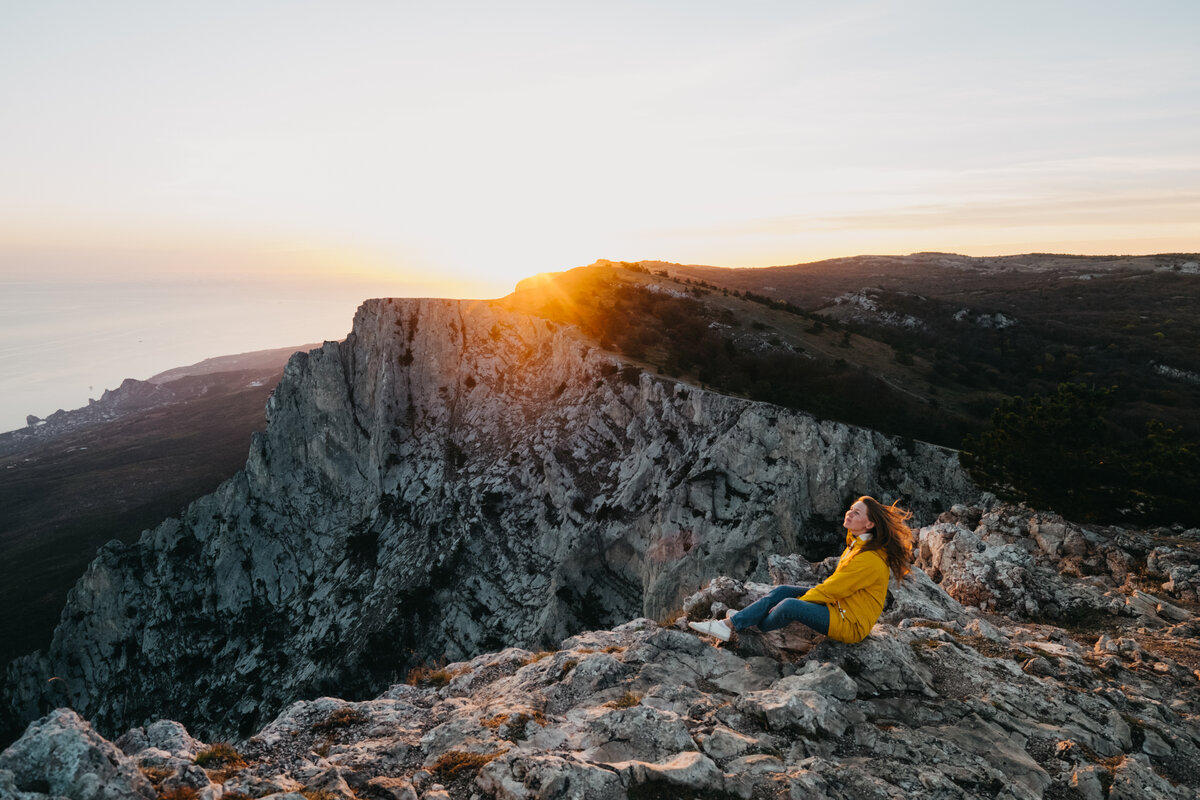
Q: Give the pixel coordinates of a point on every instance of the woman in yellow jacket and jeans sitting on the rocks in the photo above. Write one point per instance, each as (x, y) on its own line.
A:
(848, 604)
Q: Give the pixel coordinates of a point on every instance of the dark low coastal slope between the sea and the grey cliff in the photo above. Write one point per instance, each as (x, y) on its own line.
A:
(112, 470)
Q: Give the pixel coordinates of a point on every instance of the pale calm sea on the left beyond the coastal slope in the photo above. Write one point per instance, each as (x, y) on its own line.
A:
(62, 345)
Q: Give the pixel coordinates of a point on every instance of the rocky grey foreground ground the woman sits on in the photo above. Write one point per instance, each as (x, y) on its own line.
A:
(1029, 658)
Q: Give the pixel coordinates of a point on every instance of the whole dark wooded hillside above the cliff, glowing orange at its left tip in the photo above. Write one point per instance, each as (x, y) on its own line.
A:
(928, 346)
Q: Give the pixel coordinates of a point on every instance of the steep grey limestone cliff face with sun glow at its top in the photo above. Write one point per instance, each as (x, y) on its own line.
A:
(451, 479)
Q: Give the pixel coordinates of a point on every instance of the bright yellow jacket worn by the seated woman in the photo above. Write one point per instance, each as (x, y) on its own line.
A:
(855, 593)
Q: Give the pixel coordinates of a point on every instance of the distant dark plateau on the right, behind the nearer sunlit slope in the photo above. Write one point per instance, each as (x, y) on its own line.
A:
(977, 328)
